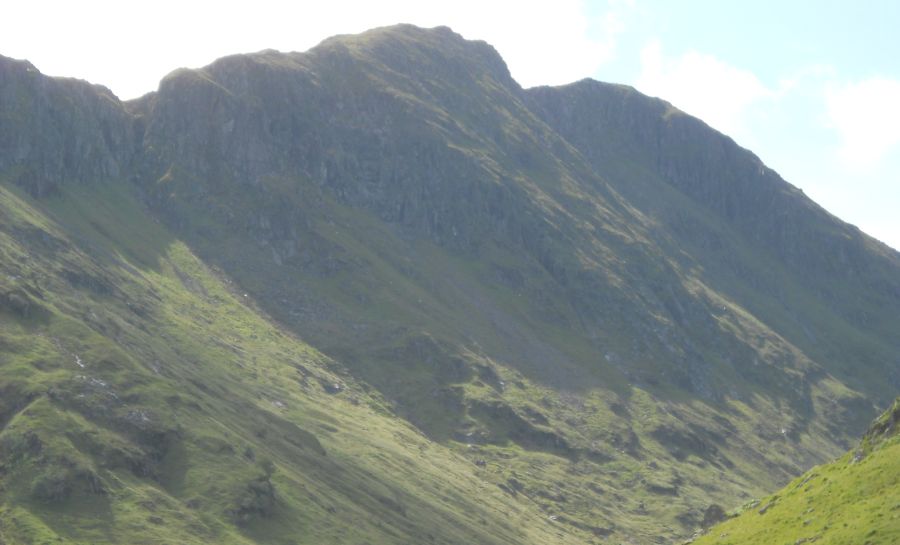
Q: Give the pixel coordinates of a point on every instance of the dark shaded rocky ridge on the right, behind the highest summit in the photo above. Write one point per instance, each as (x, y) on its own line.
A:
(622, 133)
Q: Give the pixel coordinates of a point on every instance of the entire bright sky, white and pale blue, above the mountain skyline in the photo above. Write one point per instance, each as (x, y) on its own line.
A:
(811, 86)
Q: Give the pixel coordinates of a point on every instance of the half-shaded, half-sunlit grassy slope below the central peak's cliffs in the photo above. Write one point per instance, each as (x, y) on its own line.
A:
(639, 466)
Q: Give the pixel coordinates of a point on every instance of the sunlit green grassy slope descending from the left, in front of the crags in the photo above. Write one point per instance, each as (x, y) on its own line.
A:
(143, 399)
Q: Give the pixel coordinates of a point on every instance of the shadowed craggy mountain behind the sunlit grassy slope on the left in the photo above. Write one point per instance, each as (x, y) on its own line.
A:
(581, 279)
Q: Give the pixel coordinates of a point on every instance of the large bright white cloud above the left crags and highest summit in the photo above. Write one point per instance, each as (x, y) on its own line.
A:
(130, 49)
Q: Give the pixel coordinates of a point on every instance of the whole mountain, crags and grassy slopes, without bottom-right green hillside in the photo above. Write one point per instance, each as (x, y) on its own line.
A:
(378, 292)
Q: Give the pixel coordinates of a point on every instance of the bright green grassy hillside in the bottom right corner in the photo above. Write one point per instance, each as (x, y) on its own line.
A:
(854, 499)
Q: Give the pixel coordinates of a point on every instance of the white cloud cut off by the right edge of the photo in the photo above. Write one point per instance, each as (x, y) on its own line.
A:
(867, 115)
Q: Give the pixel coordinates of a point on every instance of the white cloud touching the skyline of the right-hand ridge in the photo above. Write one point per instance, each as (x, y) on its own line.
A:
(703, 86)
